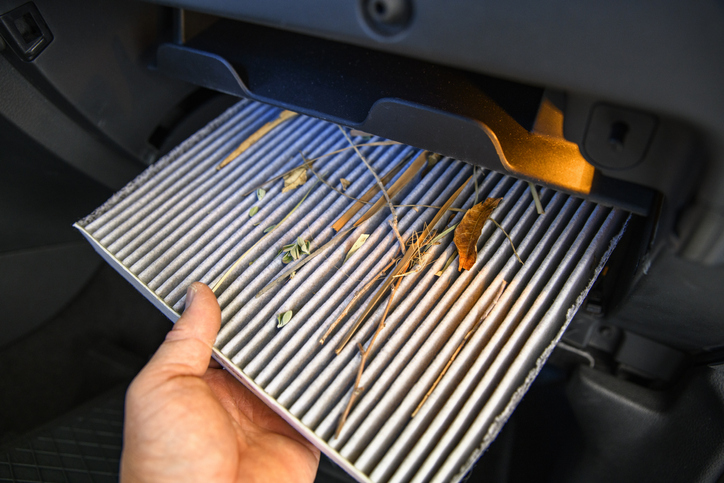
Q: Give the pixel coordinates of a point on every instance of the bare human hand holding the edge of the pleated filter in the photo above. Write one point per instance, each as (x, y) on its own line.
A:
(188, 421)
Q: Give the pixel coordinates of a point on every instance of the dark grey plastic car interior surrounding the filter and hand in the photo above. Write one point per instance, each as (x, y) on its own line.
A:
(92, 94)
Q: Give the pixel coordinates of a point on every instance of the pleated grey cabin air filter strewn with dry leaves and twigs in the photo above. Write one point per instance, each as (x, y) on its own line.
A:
(183, 220)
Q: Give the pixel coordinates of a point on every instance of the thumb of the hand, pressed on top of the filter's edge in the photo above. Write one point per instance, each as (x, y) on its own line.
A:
(188, 346)
